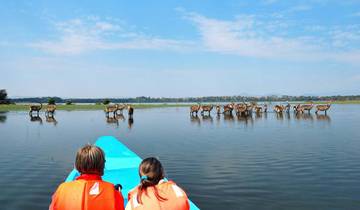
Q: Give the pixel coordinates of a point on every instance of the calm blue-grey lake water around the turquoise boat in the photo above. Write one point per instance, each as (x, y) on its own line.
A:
(263, 162)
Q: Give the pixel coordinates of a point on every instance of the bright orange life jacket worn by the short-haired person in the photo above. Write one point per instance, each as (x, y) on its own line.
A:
(87, 192)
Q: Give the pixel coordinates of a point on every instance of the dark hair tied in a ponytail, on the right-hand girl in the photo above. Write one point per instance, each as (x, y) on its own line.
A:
(150, 172)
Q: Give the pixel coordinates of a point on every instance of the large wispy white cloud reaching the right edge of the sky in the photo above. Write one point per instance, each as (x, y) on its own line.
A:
(251, 36)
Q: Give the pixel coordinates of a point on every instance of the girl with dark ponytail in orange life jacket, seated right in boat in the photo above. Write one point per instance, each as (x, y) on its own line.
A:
(155, 192)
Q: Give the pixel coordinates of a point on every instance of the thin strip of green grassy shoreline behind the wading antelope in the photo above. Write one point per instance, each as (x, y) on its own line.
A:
(25, 107)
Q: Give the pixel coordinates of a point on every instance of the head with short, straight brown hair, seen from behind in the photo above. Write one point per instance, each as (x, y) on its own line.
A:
(90, 160)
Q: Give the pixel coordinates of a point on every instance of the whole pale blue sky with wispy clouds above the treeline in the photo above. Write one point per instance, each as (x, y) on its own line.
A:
(179, 48)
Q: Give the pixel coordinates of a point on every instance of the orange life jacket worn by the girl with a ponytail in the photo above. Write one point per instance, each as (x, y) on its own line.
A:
(176, 198)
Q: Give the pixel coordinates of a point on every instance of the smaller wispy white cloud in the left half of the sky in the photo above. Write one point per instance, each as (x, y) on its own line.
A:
(78, 36)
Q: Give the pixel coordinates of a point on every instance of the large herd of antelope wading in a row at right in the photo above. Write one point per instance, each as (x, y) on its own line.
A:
(245, 109)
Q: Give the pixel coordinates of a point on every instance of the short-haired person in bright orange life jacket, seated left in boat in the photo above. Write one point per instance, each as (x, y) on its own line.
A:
(88, 191)
